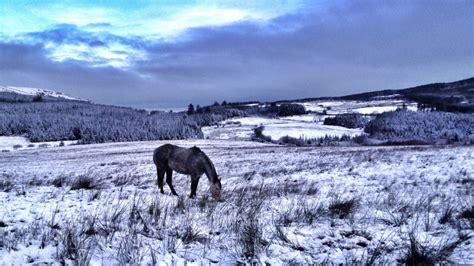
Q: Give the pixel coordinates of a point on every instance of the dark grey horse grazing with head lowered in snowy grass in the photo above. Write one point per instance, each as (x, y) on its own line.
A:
(191, 162)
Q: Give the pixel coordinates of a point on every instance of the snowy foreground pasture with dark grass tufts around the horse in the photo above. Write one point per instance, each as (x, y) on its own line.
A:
(281, 205)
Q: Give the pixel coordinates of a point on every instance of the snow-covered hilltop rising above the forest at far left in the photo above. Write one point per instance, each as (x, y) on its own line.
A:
(20, 94)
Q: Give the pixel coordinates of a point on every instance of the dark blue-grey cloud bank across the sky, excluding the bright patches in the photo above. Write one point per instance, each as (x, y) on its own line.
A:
(350, 47)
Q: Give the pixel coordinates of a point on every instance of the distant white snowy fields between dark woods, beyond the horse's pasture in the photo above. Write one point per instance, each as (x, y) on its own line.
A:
(303, 126)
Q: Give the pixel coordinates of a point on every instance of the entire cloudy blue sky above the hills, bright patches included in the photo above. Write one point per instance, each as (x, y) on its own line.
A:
(167, 54)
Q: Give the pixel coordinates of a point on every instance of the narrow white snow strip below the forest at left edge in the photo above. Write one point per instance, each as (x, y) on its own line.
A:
(12, 143)
